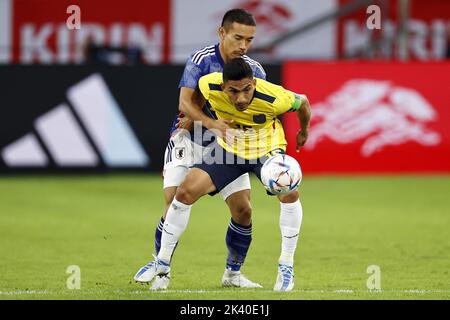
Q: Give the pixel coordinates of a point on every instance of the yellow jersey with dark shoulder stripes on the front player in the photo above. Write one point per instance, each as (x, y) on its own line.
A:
(256, 130)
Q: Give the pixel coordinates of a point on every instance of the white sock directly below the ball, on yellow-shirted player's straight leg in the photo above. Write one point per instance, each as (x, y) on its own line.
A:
(290, 221)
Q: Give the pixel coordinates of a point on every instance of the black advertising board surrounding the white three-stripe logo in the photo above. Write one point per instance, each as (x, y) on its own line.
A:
(147, 96)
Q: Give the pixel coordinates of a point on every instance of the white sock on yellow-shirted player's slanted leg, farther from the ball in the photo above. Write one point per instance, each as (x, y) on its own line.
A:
(176, 222)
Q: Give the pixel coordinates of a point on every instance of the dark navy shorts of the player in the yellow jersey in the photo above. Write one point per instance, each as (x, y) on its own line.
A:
(224, 167)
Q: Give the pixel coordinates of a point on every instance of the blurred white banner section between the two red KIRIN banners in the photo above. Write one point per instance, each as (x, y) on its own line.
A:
(195, 24)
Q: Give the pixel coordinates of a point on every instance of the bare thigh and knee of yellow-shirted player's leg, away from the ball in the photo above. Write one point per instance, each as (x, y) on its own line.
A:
(196, 184)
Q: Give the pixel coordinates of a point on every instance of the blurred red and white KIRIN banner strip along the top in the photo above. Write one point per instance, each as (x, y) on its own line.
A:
(165, 32)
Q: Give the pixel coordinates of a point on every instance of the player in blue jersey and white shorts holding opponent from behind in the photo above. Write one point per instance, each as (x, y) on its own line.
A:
(236, 36)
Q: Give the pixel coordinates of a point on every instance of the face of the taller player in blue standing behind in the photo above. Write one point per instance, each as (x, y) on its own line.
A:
(236, 41)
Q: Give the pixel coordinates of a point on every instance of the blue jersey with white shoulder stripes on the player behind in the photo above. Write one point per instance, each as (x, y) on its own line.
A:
(206, 61)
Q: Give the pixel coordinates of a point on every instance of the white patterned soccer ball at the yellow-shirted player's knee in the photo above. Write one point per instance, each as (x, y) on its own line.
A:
(281, 174)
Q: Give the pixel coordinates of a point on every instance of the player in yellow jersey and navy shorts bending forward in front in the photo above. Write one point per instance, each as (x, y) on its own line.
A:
(248, 133)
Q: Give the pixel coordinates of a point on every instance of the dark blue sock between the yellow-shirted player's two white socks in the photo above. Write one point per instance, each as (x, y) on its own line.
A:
(238, 241)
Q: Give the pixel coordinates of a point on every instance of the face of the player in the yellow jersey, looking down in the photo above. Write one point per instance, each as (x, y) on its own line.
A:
(240, 92)
